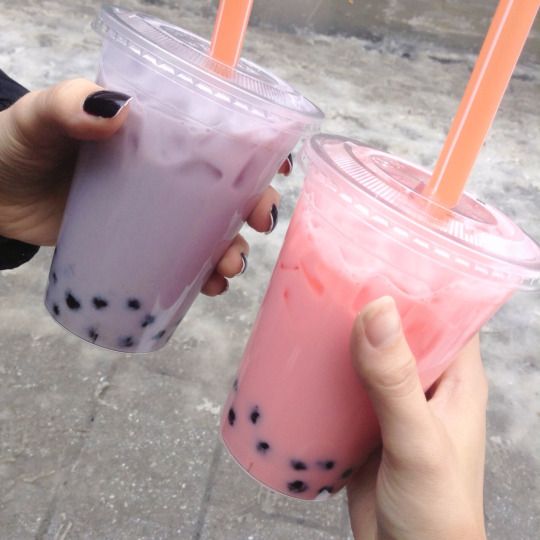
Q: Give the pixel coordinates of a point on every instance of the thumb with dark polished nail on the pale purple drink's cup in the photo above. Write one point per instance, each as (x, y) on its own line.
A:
(76, 109)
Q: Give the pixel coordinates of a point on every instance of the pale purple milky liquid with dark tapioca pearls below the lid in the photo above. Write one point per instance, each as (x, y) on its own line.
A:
(152, 210)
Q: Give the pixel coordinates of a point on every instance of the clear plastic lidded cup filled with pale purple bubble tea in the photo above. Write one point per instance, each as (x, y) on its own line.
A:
(153, 209)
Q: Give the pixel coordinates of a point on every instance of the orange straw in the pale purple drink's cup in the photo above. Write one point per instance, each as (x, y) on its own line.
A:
(229, 30)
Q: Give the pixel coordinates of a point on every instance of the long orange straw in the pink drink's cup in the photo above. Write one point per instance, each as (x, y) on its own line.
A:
(498, 57)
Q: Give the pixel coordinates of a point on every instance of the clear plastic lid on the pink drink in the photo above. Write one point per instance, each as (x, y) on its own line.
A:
(386, 190)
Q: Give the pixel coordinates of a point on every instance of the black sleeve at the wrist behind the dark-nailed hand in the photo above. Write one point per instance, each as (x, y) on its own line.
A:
(12, 252)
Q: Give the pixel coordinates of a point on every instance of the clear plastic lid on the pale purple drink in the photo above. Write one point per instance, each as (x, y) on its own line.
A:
(184, 58)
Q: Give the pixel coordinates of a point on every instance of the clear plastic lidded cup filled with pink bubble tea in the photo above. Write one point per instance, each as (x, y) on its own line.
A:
(298, 419)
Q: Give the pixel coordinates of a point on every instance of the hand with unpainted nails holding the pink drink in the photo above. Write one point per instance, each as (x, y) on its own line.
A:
(426, 483)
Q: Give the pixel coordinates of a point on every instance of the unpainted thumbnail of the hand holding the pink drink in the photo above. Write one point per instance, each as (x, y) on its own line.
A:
(381, 322)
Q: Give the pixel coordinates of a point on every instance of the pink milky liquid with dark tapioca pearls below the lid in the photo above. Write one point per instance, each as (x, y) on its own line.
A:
(298, 419)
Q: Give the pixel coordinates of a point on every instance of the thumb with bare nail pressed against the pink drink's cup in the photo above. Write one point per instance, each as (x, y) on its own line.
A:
(387, 367)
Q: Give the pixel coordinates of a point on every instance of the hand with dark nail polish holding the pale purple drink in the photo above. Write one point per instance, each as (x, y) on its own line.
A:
(39, 138)
